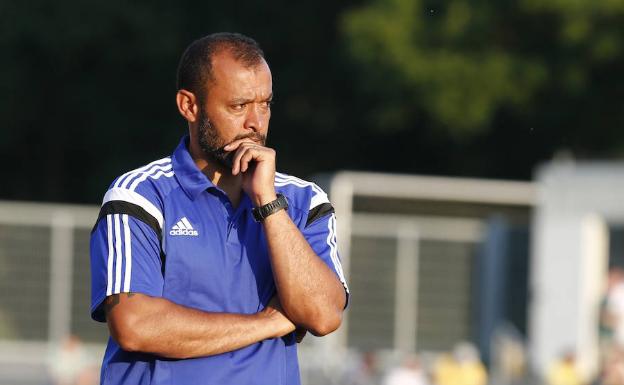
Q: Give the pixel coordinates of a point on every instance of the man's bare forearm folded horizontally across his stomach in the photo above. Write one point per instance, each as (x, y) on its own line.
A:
(161, 327)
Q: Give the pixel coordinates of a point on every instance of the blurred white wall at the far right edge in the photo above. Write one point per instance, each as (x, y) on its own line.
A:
(575, 204)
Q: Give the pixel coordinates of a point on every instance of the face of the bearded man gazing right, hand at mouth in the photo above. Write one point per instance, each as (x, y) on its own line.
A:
(236, 106)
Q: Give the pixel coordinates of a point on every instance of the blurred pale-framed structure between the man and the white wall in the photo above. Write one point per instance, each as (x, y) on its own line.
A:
(431, 261)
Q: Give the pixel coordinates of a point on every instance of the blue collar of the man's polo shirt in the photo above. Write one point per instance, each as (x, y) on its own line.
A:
(192, 180)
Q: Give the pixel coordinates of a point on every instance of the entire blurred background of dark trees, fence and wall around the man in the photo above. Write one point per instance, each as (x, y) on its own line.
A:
(481, 223)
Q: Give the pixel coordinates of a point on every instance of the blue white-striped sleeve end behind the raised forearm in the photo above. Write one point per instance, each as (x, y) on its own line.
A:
(321, 235)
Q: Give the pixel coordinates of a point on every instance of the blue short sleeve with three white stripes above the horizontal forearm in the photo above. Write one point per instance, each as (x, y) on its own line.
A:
(125, 257)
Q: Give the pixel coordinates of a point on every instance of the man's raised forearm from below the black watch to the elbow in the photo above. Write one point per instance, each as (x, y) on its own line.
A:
(309, 291)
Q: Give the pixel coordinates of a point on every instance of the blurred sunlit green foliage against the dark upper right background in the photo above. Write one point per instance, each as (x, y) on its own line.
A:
(462, 62)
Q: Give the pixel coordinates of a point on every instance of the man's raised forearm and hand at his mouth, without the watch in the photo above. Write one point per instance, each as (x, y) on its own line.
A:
(309, 291)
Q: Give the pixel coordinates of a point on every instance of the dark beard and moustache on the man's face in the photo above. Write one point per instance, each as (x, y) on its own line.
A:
(212, 144)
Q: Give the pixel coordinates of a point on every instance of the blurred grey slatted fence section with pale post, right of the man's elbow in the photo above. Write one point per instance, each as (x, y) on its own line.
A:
(411, 279)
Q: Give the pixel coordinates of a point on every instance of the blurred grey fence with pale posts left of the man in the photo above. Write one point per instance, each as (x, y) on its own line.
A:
(44, 286)
